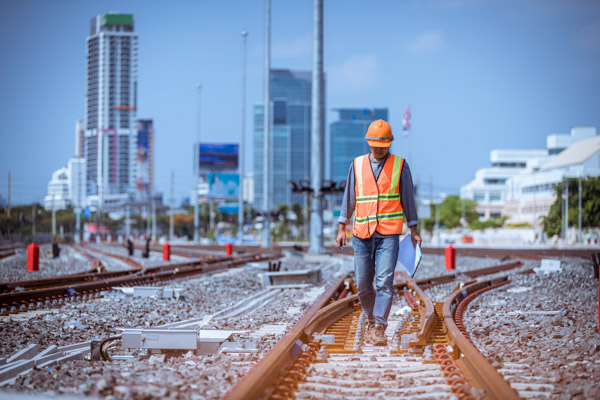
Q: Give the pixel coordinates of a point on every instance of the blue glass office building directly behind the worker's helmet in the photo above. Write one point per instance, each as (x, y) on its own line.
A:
(347, 139)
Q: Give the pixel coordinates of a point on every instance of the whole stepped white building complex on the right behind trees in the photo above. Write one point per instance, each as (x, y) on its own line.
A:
(520, 183)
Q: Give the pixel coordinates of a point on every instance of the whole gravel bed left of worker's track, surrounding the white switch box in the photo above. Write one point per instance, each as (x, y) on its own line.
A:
(188, 377)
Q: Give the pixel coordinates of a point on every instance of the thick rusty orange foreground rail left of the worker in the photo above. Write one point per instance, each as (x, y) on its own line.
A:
(266, 372)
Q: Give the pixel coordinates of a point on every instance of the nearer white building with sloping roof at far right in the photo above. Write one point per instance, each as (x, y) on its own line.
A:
(531, 193)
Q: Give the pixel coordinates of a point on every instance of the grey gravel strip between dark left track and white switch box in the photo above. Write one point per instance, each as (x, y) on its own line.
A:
(100, 318)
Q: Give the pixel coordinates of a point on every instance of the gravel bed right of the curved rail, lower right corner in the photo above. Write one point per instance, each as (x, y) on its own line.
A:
(541, 331)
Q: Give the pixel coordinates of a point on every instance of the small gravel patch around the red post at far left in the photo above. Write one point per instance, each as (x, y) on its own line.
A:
(14, 268)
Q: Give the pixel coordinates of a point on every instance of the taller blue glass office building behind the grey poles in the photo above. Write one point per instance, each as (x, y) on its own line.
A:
(290, 133)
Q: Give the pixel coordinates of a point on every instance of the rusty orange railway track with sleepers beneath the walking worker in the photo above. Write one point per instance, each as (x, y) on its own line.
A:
(428, 354)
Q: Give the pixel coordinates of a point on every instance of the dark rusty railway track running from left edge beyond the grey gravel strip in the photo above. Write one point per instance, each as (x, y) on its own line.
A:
(23, 296)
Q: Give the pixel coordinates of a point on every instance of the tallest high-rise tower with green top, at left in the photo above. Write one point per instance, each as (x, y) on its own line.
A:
(111, 126)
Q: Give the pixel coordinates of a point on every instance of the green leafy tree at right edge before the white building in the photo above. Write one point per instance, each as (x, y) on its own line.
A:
(590, 205)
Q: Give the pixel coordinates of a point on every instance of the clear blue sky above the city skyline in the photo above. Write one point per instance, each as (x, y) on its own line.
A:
(479, 75)
